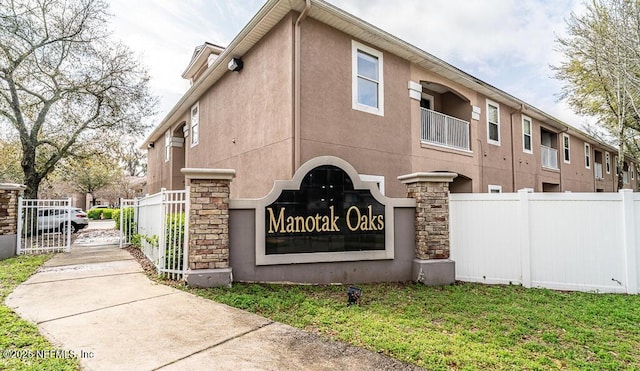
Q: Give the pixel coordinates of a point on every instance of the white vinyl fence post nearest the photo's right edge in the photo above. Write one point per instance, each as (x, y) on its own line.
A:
(629, 238)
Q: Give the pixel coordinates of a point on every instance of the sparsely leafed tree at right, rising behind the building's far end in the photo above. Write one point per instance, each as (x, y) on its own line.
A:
(601, 71)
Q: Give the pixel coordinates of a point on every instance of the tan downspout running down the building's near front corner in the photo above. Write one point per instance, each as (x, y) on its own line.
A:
(296, 88)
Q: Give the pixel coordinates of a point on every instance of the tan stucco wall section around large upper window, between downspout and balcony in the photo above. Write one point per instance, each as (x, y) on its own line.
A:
(375, 145)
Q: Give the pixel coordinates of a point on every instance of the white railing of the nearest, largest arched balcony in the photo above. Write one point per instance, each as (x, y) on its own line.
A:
(440, 129)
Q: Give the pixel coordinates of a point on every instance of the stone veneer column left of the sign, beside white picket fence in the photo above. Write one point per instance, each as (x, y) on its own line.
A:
(208, 227)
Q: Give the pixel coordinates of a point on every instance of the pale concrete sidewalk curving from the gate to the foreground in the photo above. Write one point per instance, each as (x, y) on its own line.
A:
(96, 300)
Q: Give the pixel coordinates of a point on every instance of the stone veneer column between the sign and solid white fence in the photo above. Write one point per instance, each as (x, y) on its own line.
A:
(431, 265)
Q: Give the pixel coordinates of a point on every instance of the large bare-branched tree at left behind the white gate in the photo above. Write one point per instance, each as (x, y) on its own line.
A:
(65, 83)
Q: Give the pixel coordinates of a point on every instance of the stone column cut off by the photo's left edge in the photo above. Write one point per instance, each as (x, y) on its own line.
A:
(9, 194)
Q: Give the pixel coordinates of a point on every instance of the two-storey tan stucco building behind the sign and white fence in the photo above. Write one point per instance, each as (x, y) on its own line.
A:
(306, 79)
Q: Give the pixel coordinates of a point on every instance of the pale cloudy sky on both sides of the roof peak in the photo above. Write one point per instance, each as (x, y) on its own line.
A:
(509, 44)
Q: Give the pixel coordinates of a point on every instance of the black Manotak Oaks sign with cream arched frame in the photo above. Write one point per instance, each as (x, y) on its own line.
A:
(325, 213)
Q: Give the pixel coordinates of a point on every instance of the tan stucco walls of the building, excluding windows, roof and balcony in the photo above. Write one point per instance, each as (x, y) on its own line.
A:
(246, 124)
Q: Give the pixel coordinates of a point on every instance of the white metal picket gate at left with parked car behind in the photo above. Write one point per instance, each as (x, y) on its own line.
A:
(44, 226)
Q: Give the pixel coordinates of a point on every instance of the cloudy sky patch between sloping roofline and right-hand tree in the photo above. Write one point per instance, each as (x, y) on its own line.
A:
(509, 44)
